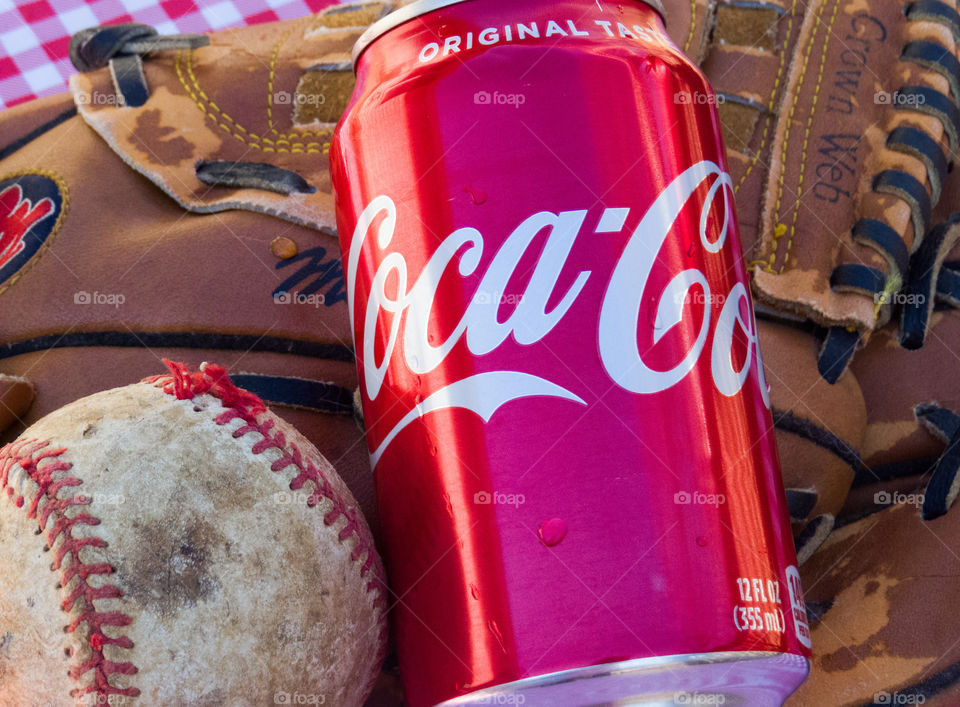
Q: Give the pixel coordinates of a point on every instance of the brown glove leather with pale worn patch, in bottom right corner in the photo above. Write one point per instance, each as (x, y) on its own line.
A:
(892, 585)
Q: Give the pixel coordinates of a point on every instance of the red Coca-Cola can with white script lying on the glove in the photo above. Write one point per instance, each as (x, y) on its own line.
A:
(564, 400)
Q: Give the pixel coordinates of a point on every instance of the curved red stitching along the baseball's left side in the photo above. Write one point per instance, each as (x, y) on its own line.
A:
(41, 462)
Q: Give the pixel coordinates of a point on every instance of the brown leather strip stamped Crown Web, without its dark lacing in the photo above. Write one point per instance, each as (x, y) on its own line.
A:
(828, 146)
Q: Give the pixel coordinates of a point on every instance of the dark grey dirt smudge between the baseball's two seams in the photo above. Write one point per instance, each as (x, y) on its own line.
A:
(172, 567)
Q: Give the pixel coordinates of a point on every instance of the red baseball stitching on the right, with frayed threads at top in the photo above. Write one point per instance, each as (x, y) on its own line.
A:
(212, 379)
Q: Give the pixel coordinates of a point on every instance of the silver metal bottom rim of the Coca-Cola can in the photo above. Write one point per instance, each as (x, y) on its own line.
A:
(733, 678)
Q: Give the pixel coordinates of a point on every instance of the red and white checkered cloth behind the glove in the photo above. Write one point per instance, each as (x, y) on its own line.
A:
(35, 34)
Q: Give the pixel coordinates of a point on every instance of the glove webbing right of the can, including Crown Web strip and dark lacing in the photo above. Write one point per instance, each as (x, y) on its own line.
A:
(839, 117)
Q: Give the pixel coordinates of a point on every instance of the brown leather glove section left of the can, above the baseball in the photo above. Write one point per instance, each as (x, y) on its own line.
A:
(178, 204)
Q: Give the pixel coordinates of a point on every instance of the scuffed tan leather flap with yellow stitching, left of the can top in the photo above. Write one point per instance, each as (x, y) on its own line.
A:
(195, 111)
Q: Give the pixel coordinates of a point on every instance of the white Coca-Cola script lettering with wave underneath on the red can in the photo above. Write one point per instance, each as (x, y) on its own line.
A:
(408, 303)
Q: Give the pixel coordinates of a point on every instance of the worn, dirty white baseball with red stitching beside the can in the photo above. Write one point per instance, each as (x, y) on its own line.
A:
(174, 542)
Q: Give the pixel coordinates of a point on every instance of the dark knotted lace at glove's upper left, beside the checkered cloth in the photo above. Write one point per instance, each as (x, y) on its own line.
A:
(121, 47)
